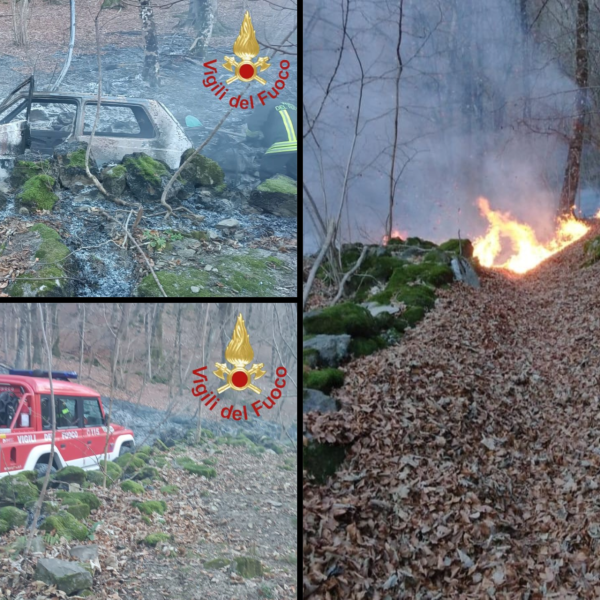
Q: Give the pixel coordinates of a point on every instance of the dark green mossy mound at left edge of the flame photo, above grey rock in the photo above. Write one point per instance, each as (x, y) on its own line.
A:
(342, 318)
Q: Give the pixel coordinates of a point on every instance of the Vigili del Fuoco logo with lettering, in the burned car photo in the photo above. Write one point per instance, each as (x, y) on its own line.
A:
(246, 48)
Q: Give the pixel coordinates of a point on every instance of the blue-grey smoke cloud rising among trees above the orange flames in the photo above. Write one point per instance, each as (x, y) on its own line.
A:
(485, 111)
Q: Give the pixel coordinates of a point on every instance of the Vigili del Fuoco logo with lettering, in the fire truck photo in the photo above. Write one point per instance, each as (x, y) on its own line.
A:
(238, 353)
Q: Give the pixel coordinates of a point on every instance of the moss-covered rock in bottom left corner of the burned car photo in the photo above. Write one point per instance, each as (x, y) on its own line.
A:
(47, 277)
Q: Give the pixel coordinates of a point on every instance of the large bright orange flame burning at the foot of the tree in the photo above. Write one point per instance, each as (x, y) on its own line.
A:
(527, 251)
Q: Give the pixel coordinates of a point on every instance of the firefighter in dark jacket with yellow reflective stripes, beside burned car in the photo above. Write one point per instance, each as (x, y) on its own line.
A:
(275, 125)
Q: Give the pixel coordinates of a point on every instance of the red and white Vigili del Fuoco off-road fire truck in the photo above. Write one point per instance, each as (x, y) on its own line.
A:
(26, 424)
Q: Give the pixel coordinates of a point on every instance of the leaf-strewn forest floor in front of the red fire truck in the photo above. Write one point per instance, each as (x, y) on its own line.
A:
(249, 509)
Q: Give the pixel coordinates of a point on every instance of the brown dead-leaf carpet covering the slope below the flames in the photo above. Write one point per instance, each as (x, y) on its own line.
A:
(473, 449)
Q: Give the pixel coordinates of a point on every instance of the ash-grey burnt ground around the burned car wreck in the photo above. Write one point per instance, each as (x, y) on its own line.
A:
(106, 270)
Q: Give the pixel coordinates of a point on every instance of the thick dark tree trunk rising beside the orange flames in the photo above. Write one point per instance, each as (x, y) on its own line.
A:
(571, 180)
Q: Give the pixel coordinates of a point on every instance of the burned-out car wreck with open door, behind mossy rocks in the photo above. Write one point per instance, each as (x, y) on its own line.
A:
(40, 121)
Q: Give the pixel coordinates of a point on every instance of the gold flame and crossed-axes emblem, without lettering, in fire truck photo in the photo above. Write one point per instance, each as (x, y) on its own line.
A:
(239, 353)
